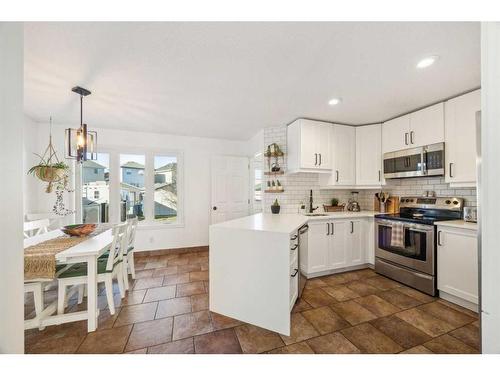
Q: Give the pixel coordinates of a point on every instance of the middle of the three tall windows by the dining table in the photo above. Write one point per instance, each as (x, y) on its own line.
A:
(132, 187)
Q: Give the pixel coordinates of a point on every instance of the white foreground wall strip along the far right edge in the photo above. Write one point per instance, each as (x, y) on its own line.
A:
(489, 220)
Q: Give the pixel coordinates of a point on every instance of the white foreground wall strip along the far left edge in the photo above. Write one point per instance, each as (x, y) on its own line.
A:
(11, 192)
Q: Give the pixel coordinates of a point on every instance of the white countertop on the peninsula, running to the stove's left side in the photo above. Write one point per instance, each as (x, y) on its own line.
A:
(285, 223)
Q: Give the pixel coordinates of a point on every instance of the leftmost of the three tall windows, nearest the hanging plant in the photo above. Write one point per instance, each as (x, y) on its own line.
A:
(95, 190)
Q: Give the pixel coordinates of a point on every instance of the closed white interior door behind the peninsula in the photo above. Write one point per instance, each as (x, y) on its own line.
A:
(230, 184)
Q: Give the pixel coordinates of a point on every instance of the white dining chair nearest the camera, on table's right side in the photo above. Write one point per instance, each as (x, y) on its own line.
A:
(108, 269)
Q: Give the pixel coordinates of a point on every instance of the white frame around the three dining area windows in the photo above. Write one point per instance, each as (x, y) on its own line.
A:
(149, 221)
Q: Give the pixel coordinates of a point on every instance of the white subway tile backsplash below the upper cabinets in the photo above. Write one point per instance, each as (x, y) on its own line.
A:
(297, 186)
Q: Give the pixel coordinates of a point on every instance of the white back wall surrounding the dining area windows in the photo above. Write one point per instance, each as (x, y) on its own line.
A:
(196, 152)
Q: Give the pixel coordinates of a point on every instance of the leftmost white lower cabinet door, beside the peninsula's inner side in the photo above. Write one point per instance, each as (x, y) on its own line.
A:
(317, 247)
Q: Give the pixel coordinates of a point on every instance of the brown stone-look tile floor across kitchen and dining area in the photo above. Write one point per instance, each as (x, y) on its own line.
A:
(166, 311)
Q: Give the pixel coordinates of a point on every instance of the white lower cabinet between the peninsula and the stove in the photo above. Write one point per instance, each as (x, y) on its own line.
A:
(335, 244)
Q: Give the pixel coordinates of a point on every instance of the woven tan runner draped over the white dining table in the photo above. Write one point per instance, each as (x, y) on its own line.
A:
(40, 259)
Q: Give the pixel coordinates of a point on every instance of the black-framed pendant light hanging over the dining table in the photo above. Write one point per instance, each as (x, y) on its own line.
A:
(80, 143)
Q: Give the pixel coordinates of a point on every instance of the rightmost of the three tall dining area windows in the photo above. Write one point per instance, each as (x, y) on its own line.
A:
(165, 188)
